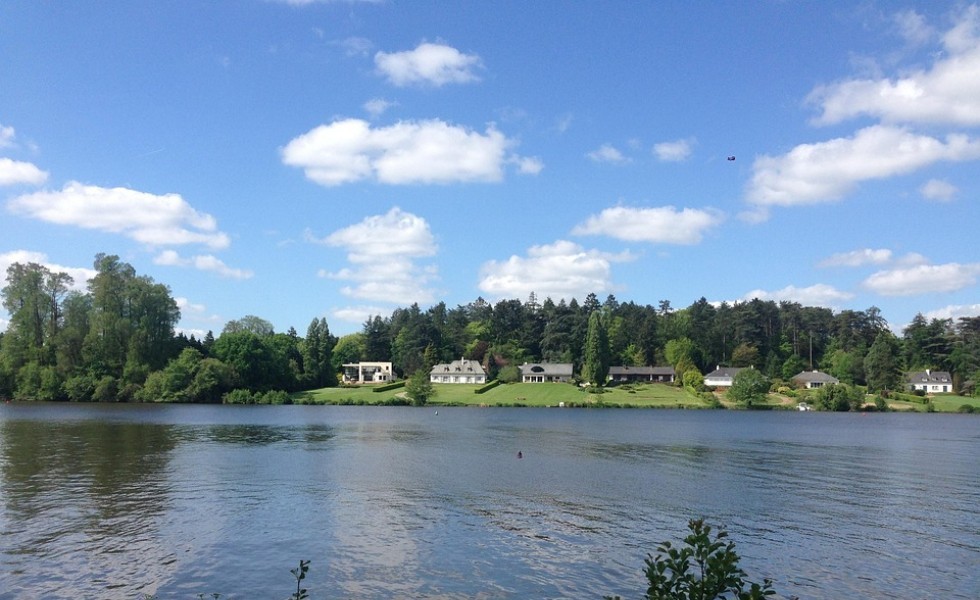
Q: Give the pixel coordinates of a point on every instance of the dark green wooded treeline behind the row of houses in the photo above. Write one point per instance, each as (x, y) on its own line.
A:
(779, 339)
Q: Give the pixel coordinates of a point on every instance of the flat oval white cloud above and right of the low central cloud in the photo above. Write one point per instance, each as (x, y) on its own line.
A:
(663, 225)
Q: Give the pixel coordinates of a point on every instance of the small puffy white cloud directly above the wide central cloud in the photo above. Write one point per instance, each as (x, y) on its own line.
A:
(428, 64)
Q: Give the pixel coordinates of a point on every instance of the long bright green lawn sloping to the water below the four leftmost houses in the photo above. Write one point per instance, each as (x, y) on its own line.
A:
(516, 394)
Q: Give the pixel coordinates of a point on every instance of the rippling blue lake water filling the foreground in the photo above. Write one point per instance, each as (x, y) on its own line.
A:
(117, 501)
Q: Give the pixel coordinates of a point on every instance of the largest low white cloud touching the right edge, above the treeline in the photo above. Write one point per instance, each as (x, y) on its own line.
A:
(923, 279)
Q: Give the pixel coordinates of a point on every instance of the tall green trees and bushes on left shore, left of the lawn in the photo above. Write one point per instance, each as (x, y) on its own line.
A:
(116, 342)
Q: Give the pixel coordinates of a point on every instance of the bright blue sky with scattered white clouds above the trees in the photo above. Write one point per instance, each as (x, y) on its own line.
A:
(303, 159)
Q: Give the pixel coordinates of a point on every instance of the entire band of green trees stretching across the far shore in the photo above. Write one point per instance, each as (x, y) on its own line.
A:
(117, 341)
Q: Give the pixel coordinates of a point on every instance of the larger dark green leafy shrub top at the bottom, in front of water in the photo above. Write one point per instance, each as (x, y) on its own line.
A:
(702, 569)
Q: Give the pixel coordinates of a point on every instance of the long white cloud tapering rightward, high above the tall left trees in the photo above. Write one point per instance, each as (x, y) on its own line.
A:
(147, 218)
